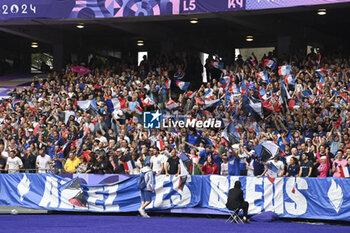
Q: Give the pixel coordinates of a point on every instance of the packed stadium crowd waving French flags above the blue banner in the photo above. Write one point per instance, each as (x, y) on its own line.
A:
(92, 122)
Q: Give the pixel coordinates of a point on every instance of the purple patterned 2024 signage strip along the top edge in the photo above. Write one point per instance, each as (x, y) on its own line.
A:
(58, 9)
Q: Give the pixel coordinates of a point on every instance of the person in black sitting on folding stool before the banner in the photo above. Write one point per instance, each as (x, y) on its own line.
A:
(235, 201)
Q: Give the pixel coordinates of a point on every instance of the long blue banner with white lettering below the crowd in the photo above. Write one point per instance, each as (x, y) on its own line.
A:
(314, 198)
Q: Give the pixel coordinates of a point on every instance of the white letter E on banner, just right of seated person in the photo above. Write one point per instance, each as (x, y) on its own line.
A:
(252, 195)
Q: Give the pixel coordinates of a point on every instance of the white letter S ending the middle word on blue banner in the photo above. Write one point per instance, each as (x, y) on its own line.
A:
(184, 197)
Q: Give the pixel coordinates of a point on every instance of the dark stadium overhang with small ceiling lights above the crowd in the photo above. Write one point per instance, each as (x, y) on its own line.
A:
(215, 31)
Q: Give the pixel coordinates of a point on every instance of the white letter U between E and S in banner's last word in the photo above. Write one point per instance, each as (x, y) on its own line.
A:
(273, 195)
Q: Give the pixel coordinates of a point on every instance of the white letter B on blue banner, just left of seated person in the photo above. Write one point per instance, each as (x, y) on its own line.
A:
(217, 197)
